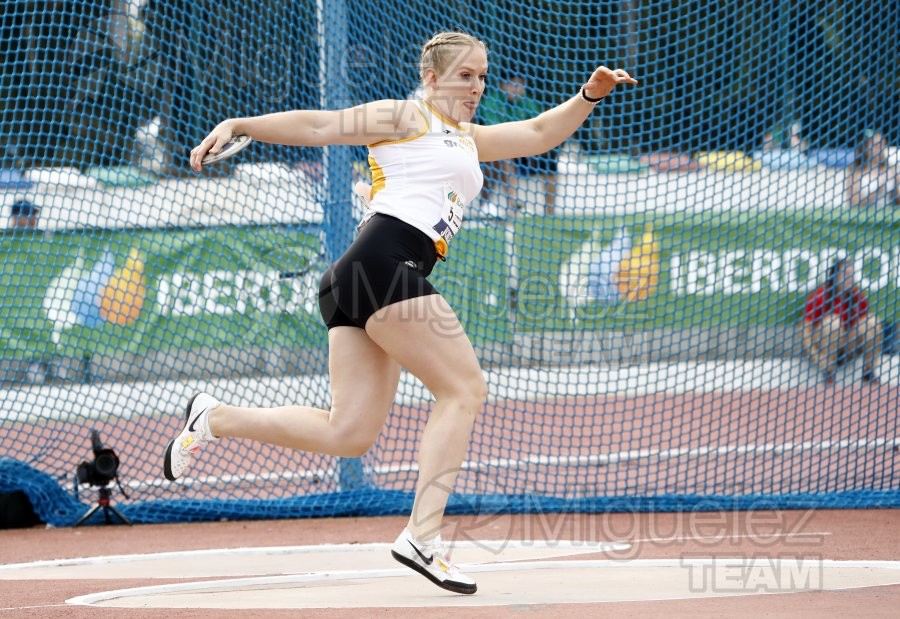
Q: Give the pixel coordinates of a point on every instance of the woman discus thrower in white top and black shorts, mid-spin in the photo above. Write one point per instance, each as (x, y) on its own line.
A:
(425, 161)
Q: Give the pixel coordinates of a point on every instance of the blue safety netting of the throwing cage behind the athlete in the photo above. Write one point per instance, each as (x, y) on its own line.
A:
(639, 310)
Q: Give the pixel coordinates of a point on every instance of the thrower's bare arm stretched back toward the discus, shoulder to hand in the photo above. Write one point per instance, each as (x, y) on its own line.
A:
(361, 125)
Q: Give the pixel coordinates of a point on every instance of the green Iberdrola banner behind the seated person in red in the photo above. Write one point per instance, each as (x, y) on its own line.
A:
(648, 271)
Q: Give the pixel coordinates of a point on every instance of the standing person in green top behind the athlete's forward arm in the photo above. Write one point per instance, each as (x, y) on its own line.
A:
(509, 103)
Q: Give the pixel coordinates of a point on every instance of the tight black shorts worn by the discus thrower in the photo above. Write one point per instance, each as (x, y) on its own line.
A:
(387, 263)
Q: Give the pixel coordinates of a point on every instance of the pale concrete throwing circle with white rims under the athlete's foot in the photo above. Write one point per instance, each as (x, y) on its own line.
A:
(508, 573)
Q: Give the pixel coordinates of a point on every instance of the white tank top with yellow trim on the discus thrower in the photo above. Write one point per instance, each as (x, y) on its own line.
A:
(428, 179)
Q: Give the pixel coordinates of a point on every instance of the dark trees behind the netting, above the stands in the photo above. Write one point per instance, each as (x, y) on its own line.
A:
(714, 74)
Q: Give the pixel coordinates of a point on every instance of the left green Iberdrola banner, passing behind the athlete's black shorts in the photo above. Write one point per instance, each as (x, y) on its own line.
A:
(107, 292)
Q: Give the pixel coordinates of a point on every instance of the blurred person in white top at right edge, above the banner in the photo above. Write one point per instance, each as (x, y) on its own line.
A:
(871, 180)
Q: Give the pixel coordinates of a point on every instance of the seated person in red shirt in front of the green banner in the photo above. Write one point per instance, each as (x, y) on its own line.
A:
(838, 327)
